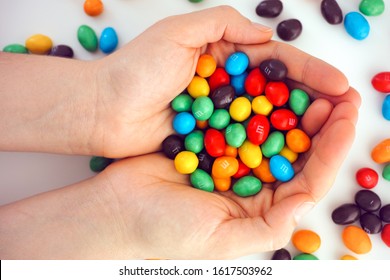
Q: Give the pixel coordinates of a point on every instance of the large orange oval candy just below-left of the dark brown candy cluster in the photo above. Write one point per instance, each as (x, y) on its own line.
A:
(356, 239)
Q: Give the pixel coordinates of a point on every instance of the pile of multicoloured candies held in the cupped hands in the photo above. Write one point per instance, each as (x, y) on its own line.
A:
(237, 127)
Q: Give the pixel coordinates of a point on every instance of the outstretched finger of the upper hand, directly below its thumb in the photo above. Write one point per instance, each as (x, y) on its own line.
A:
(302, 67)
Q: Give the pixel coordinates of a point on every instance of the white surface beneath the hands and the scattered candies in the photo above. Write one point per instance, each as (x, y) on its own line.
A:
(24, 174)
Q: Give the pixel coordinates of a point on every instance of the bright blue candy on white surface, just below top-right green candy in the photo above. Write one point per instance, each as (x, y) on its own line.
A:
(356, 25)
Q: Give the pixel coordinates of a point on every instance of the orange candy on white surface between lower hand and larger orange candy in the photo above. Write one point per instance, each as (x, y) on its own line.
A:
(306, 241)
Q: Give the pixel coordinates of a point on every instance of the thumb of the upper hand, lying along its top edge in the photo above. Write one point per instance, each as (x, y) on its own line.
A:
(211, 25)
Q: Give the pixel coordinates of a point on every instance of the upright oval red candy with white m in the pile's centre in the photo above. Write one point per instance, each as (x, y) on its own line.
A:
(258, 129)
